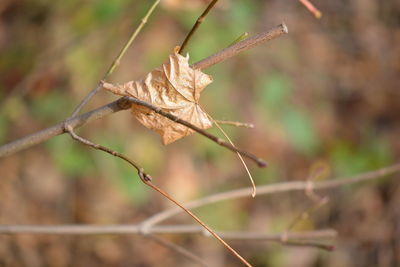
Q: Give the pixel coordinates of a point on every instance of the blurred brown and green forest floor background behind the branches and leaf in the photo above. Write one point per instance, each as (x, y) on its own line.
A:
(324, 96)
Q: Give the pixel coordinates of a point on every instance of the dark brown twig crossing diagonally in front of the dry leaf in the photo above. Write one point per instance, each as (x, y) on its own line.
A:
(260, 162)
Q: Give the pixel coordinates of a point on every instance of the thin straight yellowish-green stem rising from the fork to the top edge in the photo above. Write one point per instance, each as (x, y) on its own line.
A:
(117, 60)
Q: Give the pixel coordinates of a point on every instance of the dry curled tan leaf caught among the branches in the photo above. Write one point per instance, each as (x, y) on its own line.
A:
(174, 87)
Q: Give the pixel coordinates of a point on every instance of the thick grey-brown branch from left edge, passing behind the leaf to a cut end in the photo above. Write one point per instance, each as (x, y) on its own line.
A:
(120, 104)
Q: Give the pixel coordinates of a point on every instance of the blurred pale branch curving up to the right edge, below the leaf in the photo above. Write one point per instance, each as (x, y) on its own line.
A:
(271, 189)
